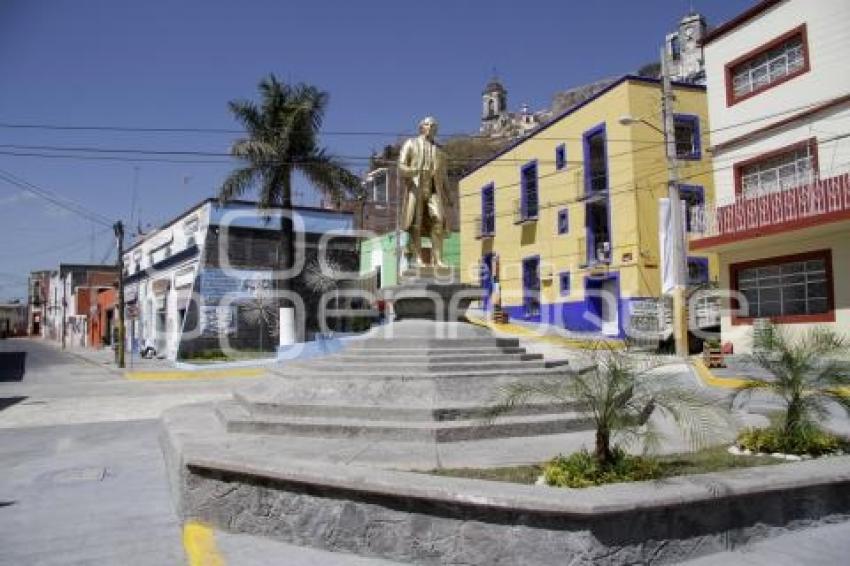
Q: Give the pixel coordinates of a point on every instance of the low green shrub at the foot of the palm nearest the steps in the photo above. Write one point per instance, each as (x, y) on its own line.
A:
(582, 469)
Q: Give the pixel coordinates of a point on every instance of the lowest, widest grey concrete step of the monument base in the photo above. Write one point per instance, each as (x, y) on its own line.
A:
(238, 420)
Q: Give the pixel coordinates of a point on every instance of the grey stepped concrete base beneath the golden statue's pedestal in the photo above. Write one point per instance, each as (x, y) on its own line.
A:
(405, 387)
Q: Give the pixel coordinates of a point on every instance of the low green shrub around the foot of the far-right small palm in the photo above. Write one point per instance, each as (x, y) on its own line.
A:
(808, 440)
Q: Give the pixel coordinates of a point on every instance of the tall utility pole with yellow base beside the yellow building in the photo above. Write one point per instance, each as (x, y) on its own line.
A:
(676, 234)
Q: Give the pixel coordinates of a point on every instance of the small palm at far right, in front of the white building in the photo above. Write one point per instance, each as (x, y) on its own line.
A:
(804, 373)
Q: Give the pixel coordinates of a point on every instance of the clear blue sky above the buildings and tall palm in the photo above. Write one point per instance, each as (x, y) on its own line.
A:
(176, 64)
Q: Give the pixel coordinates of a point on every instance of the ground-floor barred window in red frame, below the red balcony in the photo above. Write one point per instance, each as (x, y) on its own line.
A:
(786, 288)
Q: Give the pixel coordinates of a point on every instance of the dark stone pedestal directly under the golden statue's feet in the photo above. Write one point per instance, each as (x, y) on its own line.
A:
(431, 293)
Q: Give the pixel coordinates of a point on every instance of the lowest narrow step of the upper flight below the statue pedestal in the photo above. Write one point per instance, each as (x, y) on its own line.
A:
(540, 369)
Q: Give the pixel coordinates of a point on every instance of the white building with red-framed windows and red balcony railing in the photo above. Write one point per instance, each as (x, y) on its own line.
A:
(779, 100)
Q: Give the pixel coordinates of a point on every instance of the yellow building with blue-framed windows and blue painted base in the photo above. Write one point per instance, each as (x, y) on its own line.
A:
(566, 218)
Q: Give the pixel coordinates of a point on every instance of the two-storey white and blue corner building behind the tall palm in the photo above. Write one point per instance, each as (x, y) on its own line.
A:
(204, 280)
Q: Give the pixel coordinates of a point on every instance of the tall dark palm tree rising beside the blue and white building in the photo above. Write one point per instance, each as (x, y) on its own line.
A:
(282, 138)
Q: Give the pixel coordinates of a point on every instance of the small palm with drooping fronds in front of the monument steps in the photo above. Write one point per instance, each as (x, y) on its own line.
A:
(619, 391)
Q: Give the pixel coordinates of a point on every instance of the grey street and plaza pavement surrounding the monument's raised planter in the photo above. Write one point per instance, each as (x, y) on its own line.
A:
(83, 478)
